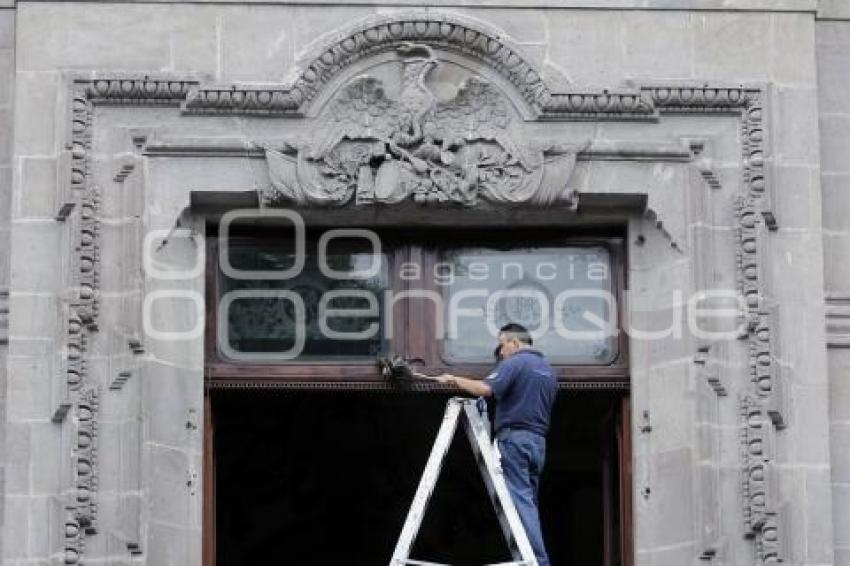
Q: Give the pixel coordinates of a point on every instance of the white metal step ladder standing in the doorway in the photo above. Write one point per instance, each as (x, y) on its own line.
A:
(487, 458)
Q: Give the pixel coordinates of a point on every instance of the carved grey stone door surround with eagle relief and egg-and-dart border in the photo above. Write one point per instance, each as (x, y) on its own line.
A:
(421, 127)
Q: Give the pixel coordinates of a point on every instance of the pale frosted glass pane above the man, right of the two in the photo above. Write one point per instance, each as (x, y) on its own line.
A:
(561, 294)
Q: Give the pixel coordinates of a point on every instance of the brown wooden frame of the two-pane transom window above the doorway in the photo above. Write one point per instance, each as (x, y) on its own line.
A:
(410, 340)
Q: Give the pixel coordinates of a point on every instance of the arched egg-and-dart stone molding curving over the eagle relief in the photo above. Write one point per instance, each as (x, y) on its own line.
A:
(453, 35)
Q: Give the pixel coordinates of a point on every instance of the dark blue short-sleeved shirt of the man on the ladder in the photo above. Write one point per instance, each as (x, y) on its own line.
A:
(524, 386)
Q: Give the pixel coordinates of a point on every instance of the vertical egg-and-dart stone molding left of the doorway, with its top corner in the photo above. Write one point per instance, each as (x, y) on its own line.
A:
(81, 397)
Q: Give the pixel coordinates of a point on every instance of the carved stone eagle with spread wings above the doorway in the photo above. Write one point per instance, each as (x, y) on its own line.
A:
(379, 150)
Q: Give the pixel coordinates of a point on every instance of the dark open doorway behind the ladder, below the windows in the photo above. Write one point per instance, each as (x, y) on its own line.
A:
(321, 478)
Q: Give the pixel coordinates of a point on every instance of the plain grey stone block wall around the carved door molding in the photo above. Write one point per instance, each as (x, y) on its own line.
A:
(687, 483)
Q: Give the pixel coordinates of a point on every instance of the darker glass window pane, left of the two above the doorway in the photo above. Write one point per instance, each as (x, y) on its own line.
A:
(268, 324)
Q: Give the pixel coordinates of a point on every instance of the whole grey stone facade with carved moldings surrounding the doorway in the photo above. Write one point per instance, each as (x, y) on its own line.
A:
(715, 131)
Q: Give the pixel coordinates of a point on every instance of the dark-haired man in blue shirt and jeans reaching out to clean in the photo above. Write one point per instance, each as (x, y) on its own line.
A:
(524, 386)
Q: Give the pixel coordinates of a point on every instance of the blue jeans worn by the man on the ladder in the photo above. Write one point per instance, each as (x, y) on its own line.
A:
(523, 454)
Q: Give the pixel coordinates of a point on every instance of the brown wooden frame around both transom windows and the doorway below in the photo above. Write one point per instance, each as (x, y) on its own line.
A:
(352, 375)
